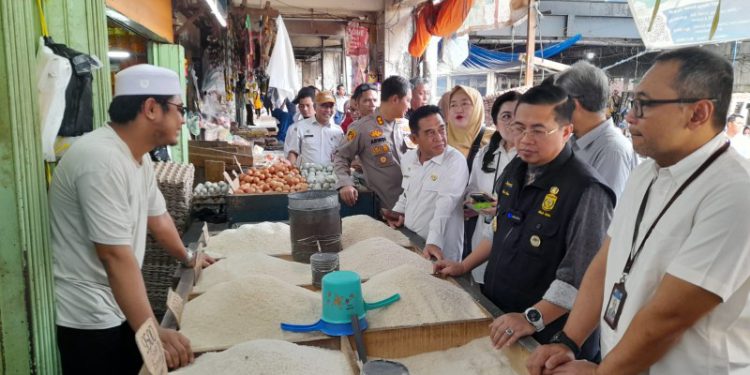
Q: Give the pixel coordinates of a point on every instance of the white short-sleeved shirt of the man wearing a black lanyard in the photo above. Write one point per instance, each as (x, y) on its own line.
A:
(702, 239)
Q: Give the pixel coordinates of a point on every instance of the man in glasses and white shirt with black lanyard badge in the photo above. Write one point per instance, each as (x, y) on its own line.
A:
(670, 281)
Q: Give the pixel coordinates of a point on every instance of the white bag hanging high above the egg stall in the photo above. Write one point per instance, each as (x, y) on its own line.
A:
(281, 70)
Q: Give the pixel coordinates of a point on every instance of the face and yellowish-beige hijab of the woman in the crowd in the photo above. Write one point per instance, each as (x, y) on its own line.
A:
(465, 117)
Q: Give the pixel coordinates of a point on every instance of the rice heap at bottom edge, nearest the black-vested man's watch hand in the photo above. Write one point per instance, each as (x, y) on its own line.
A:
(477, 357)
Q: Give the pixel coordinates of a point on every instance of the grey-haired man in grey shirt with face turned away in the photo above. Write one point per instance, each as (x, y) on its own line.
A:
(595, 138)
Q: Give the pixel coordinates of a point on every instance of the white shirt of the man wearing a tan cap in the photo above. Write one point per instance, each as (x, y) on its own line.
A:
(314, 142)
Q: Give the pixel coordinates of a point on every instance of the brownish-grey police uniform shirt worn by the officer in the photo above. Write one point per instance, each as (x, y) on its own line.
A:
(380, 146)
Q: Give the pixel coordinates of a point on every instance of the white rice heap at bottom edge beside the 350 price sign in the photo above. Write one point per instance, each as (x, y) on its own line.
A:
(266, 357)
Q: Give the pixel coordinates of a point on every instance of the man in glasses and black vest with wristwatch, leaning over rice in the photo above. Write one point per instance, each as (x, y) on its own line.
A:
(552, 214)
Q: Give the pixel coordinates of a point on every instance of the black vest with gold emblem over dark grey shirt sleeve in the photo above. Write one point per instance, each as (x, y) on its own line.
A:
(531, 234)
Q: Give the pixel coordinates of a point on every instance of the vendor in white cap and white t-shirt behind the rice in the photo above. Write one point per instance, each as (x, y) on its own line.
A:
(103, 199)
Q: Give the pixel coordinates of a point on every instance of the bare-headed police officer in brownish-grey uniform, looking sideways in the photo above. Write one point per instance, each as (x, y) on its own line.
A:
(379, 139)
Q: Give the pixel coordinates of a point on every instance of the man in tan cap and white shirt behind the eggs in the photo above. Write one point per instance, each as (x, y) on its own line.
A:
(315, 139)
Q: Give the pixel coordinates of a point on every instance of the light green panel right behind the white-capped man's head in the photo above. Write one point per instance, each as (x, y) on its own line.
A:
(172, 56)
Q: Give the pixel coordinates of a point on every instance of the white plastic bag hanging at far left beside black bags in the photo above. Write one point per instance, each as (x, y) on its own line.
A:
(53, 74)
